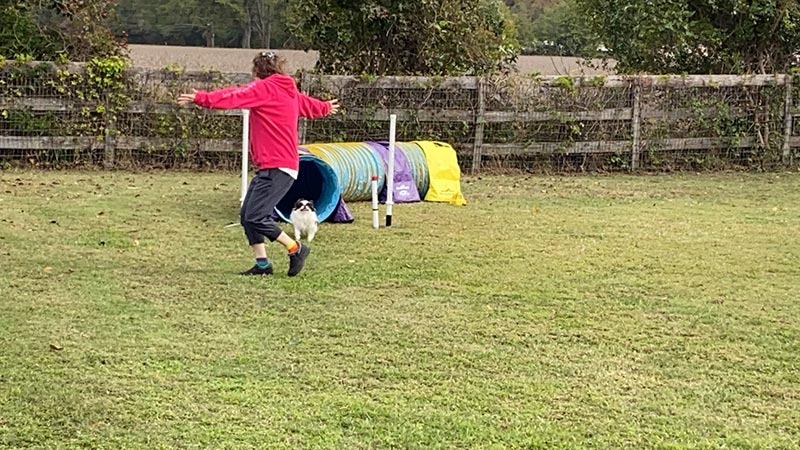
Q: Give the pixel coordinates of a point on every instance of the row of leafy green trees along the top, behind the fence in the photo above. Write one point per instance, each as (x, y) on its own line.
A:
(434, 37)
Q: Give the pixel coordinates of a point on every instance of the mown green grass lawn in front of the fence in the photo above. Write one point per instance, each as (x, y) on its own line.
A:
(596, 312)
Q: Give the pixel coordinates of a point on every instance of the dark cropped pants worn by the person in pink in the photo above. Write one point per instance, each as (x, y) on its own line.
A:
(266, 189)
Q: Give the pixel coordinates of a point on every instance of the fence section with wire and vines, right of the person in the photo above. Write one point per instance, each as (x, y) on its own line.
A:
(752, 118)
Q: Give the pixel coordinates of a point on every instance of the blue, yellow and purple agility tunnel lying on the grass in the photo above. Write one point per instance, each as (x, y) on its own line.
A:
(332, 174)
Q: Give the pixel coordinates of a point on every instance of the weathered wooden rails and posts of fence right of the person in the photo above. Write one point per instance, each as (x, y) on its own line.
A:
(637, 115)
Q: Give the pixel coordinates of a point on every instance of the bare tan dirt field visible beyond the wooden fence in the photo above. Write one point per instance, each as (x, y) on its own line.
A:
(239, 60)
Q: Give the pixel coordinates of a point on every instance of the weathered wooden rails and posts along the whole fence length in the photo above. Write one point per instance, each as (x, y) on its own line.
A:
(638, 112)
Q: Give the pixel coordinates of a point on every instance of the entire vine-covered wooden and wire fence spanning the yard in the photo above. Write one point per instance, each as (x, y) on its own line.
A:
(103, 113)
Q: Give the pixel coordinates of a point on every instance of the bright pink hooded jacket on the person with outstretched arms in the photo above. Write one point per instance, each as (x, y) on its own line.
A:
(275, 106)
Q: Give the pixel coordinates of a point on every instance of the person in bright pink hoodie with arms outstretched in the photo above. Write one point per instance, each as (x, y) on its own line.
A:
(275, 106)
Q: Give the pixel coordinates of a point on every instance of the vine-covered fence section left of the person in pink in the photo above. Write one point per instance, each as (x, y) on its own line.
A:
(54, 116)
